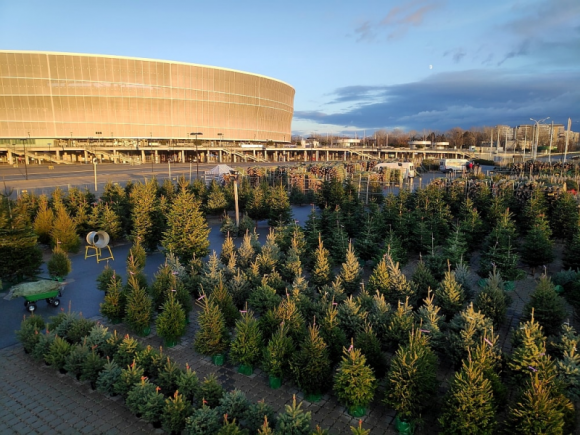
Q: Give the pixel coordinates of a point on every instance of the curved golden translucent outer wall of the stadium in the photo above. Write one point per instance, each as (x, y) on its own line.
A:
(64, 95)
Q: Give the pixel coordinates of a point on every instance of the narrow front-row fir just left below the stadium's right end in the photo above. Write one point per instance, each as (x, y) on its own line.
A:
(277, 355)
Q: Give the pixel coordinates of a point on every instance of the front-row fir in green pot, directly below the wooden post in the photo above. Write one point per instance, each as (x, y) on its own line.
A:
(247, 344)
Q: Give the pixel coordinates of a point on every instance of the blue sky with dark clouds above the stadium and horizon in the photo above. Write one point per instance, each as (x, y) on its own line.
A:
(357, 66)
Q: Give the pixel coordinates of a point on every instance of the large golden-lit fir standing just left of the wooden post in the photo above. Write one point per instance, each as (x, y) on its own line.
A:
(187, 229)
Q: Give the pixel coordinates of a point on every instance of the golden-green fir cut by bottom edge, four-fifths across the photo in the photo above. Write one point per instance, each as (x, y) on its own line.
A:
(469, 407)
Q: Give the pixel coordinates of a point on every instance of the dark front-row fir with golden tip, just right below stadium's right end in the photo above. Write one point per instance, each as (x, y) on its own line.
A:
(310, 366)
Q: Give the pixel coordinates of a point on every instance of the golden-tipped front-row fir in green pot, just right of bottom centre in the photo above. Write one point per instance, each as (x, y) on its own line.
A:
(354, 382)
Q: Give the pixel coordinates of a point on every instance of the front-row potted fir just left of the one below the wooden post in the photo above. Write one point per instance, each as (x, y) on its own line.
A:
(212, 337)
